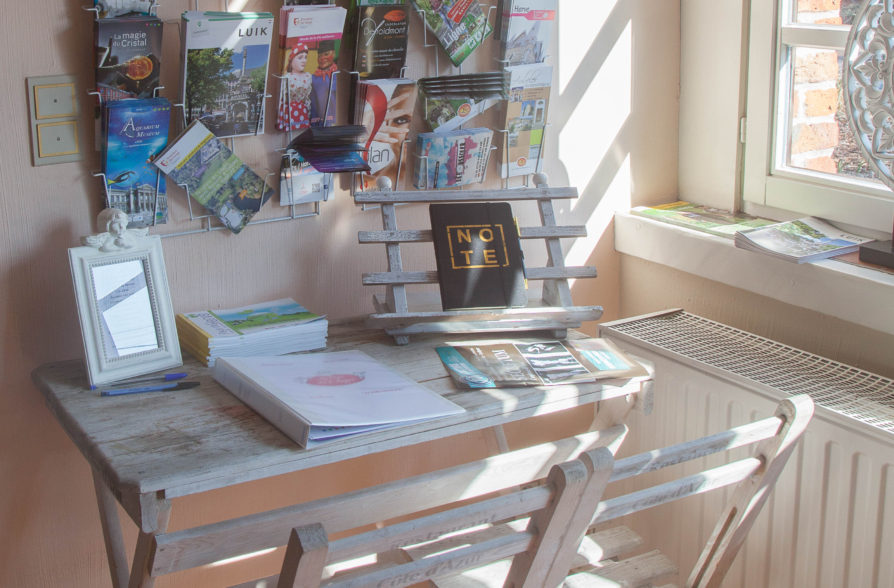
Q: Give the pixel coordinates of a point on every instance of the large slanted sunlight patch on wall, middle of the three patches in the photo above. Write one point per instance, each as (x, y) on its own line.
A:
(599, 113)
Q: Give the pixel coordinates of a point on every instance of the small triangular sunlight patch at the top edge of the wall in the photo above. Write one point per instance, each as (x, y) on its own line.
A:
(578, 25)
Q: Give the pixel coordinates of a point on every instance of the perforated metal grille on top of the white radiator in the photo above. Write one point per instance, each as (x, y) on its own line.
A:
(856, 393)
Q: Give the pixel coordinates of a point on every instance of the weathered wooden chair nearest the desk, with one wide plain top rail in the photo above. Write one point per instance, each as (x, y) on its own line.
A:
(197, 546)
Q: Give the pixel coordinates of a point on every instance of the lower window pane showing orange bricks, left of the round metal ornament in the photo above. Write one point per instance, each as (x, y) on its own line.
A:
(820, 138)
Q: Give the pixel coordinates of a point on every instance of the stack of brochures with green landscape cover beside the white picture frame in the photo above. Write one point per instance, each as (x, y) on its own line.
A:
(268, 328)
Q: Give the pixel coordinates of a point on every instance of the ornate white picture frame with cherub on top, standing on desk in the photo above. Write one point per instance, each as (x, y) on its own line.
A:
(124, 303)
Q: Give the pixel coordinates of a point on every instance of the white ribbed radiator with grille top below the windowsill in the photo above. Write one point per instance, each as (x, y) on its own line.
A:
(830, 520)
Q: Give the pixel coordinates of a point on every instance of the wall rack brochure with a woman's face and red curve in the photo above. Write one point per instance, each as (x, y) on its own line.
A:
(385, 109)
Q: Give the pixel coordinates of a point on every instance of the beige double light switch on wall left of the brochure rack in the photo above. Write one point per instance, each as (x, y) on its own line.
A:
(54, 119)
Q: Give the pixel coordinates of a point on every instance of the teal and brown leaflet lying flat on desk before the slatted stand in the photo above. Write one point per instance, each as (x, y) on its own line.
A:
(535, 362)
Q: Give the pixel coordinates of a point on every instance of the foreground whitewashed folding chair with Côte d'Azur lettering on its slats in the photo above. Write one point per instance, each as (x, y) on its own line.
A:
(531, 535)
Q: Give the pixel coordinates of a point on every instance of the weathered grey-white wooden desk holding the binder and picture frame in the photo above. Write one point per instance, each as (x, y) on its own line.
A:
(146, 449)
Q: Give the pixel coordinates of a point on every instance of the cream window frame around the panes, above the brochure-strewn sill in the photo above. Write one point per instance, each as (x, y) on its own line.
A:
(845, 201)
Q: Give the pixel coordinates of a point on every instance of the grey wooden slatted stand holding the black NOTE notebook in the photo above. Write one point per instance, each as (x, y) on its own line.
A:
(554, 312)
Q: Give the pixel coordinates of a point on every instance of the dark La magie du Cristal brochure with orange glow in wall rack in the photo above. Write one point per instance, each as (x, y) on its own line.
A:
(128, 57)
